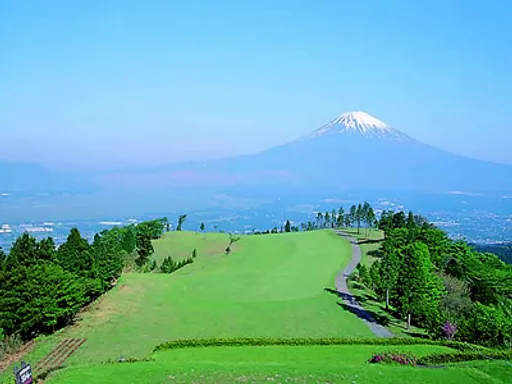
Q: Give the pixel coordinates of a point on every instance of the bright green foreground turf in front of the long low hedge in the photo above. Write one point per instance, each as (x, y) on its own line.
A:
(311, 364)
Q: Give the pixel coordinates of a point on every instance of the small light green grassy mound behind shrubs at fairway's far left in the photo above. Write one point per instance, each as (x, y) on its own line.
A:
(179, 245)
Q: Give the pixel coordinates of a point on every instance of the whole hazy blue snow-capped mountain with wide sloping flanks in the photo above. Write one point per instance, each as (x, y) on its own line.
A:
(353, 151)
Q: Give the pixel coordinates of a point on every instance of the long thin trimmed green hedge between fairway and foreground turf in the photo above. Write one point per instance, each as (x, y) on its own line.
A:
(255, 342)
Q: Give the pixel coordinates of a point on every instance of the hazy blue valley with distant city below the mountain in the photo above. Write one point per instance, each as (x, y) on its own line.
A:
(474, 217)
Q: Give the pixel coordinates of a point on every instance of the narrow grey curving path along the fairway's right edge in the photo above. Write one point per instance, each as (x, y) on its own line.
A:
(346, 295)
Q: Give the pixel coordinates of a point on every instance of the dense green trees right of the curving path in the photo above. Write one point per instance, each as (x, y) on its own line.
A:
(443, 285)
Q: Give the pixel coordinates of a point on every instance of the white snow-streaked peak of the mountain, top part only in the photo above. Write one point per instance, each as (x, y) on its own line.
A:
(360, 123)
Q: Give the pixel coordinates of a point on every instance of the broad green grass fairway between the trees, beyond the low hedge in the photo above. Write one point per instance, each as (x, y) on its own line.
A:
(271, 285)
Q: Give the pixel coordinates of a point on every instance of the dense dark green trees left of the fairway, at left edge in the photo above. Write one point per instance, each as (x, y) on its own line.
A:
(42, 286)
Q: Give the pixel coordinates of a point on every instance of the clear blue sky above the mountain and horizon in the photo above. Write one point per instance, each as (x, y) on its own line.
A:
(86, 83)
